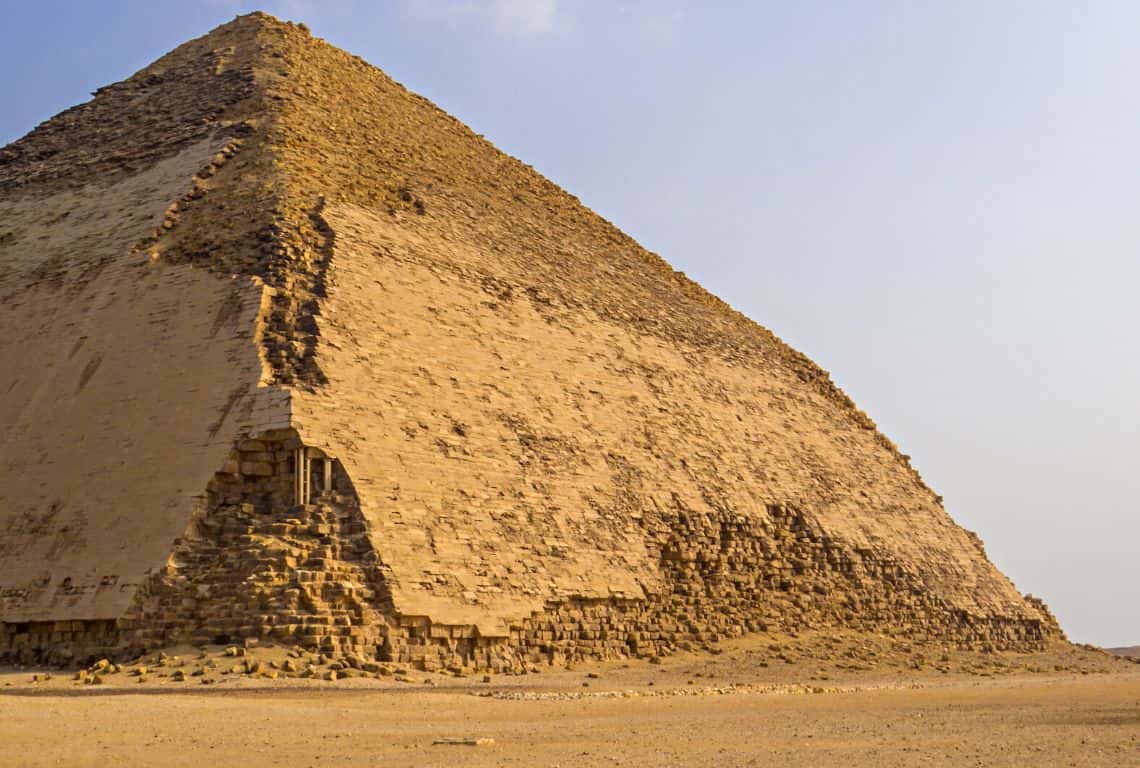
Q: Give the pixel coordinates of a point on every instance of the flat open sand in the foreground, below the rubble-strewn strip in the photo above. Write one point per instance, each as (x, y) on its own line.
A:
(1056, 722)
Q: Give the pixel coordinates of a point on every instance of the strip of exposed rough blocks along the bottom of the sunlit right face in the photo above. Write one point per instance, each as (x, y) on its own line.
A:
(730, 575)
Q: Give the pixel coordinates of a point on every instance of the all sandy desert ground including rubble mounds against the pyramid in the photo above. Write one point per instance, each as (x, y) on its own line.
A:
(869, 704)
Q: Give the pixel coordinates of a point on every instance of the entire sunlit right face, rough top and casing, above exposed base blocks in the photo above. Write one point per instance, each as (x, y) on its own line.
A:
(511, 361)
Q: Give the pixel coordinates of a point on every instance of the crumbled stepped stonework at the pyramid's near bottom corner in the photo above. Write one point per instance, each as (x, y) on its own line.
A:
(278, 554)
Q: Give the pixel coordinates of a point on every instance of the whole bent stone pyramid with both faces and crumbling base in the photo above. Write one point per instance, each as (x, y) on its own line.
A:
(291, 354)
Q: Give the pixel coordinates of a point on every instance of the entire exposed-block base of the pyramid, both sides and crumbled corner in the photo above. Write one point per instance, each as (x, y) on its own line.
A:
(260, 563)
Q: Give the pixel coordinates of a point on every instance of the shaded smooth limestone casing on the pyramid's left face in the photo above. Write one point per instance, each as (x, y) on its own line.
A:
(126, 382)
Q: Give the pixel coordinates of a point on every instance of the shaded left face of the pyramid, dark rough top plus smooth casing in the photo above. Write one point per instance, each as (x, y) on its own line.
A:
(126, 379)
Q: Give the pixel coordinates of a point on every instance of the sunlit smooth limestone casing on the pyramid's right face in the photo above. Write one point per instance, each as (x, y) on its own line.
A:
(524, 452)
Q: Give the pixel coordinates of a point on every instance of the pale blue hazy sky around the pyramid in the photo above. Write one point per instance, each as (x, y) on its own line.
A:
(938, 202)
